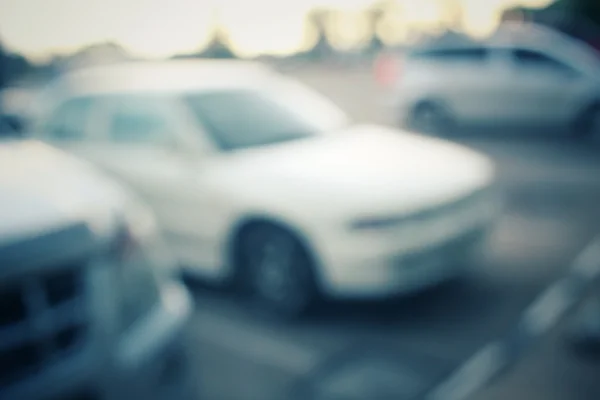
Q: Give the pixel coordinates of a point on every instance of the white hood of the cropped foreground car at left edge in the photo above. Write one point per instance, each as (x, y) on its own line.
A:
(43, 189)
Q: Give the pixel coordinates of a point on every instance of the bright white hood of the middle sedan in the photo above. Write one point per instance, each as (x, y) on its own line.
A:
(362, 168)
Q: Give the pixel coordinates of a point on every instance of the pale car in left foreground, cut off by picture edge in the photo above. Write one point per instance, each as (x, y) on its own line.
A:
(89, 306)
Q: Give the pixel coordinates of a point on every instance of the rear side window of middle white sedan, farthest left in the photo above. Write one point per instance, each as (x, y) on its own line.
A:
(69, 120)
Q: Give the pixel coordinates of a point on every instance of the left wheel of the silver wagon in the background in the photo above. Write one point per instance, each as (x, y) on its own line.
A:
(431, 119)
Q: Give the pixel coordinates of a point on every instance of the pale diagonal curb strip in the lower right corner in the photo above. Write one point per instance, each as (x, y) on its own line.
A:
(546, 311)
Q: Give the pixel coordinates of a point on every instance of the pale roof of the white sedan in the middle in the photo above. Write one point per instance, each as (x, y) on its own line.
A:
(162, 76)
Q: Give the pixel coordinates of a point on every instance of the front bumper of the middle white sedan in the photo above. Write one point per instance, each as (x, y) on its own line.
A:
(376, 274)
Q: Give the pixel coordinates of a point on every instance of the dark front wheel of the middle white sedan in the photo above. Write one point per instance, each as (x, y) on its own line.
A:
(276, 271)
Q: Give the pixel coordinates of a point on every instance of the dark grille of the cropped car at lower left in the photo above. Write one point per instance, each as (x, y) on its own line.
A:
(42, 320)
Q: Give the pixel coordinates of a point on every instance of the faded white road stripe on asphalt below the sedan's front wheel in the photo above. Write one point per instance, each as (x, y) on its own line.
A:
(258, 345)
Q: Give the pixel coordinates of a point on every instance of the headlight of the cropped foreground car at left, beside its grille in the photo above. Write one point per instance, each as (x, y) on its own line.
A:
(142, 265)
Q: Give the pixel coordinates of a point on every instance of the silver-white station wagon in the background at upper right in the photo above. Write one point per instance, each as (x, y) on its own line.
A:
(524, 76)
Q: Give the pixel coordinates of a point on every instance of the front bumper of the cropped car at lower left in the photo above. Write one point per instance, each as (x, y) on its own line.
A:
(148, 362)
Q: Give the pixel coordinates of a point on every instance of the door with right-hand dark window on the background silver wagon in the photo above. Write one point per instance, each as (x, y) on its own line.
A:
(543, 88)
